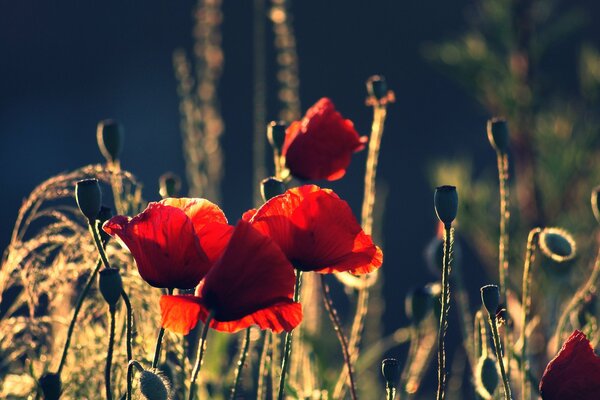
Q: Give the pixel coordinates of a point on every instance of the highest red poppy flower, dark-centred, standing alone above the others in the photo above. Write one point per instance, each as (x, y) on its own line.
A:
(321, 144)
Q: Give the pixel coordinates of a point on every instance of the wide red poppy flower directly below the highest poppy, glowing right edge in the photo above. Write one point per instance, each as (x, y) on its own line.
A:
(317, 231)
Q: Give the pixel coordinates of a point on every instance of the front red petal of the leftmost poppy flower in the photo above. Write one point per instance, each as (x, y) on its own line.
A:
(164, 244)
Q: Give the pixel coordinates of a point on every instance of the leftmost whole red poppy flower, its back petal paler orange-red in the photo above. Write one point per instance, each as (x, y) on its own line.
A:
(175, 241)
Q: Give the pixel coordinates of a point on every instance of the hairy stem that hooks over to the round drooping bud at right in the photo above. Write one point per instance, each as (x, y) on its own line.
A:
(526, 304)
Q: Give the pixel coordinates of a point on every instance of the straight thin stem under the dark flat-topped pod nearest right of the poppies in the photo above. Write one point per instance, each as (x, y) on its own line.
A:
(448, 243)
